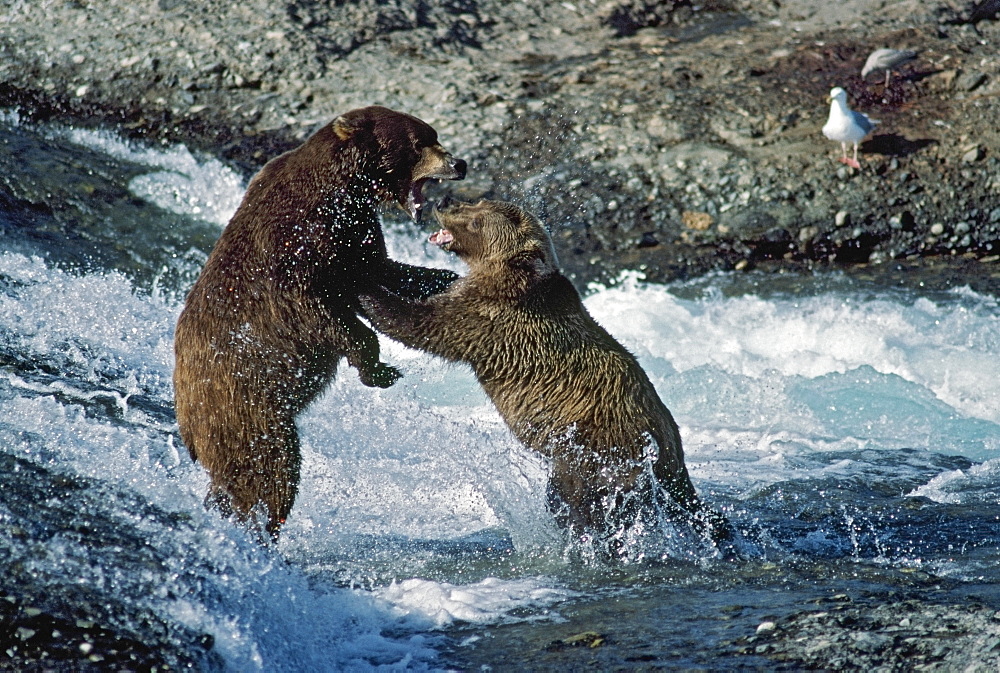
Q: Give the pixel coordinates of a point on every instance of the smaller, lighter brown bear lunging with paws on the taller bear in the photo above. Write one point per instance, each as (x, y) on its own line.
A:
(563, 385)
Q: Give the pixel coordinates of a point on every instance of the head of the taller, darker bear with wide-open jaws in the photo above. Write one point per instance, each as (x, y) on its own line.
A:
(398, 153)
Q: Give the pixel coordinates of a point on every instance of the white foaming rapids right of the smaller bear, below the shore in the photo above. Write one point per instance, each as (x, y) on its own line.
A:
(888, 372)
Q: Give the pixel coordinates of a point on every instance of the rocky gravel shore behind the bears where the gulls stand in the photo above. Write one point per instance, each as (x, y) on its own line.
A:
(671, 137)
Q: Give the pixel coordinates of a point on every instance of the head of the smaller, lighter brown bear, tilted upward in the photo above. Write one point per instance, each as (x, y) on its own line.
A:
(494, 232)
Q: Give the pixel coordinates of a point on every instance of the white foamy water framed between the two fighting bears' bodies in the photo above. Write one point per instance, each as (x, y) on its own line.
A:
(416, 461)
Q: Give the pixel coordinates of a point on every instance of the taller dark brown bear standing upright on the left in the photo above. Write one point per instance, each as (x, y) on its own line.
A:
(275, 308)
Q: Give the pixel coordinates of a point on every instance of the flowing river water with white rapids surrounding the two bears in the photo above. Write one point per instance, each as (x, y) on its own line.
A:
(849, 432)
